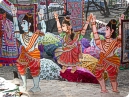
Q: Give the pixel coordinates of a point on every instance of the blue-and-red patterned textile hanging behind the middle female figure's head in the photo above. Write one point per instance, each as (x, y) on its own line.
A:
(76, 8)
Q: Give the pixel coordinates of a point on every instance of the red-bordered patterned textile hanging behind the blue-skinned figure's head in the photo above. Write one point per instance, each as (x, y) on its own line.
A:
(23, 9)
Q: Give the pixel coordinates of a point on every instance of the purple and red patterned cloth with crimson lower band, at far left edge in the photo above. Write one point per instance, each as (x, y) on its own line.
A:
(8, 50)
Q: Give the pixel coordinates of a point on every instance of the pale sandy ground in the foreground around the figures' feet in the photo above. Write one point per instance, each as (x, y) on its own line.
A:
(57, 88)
